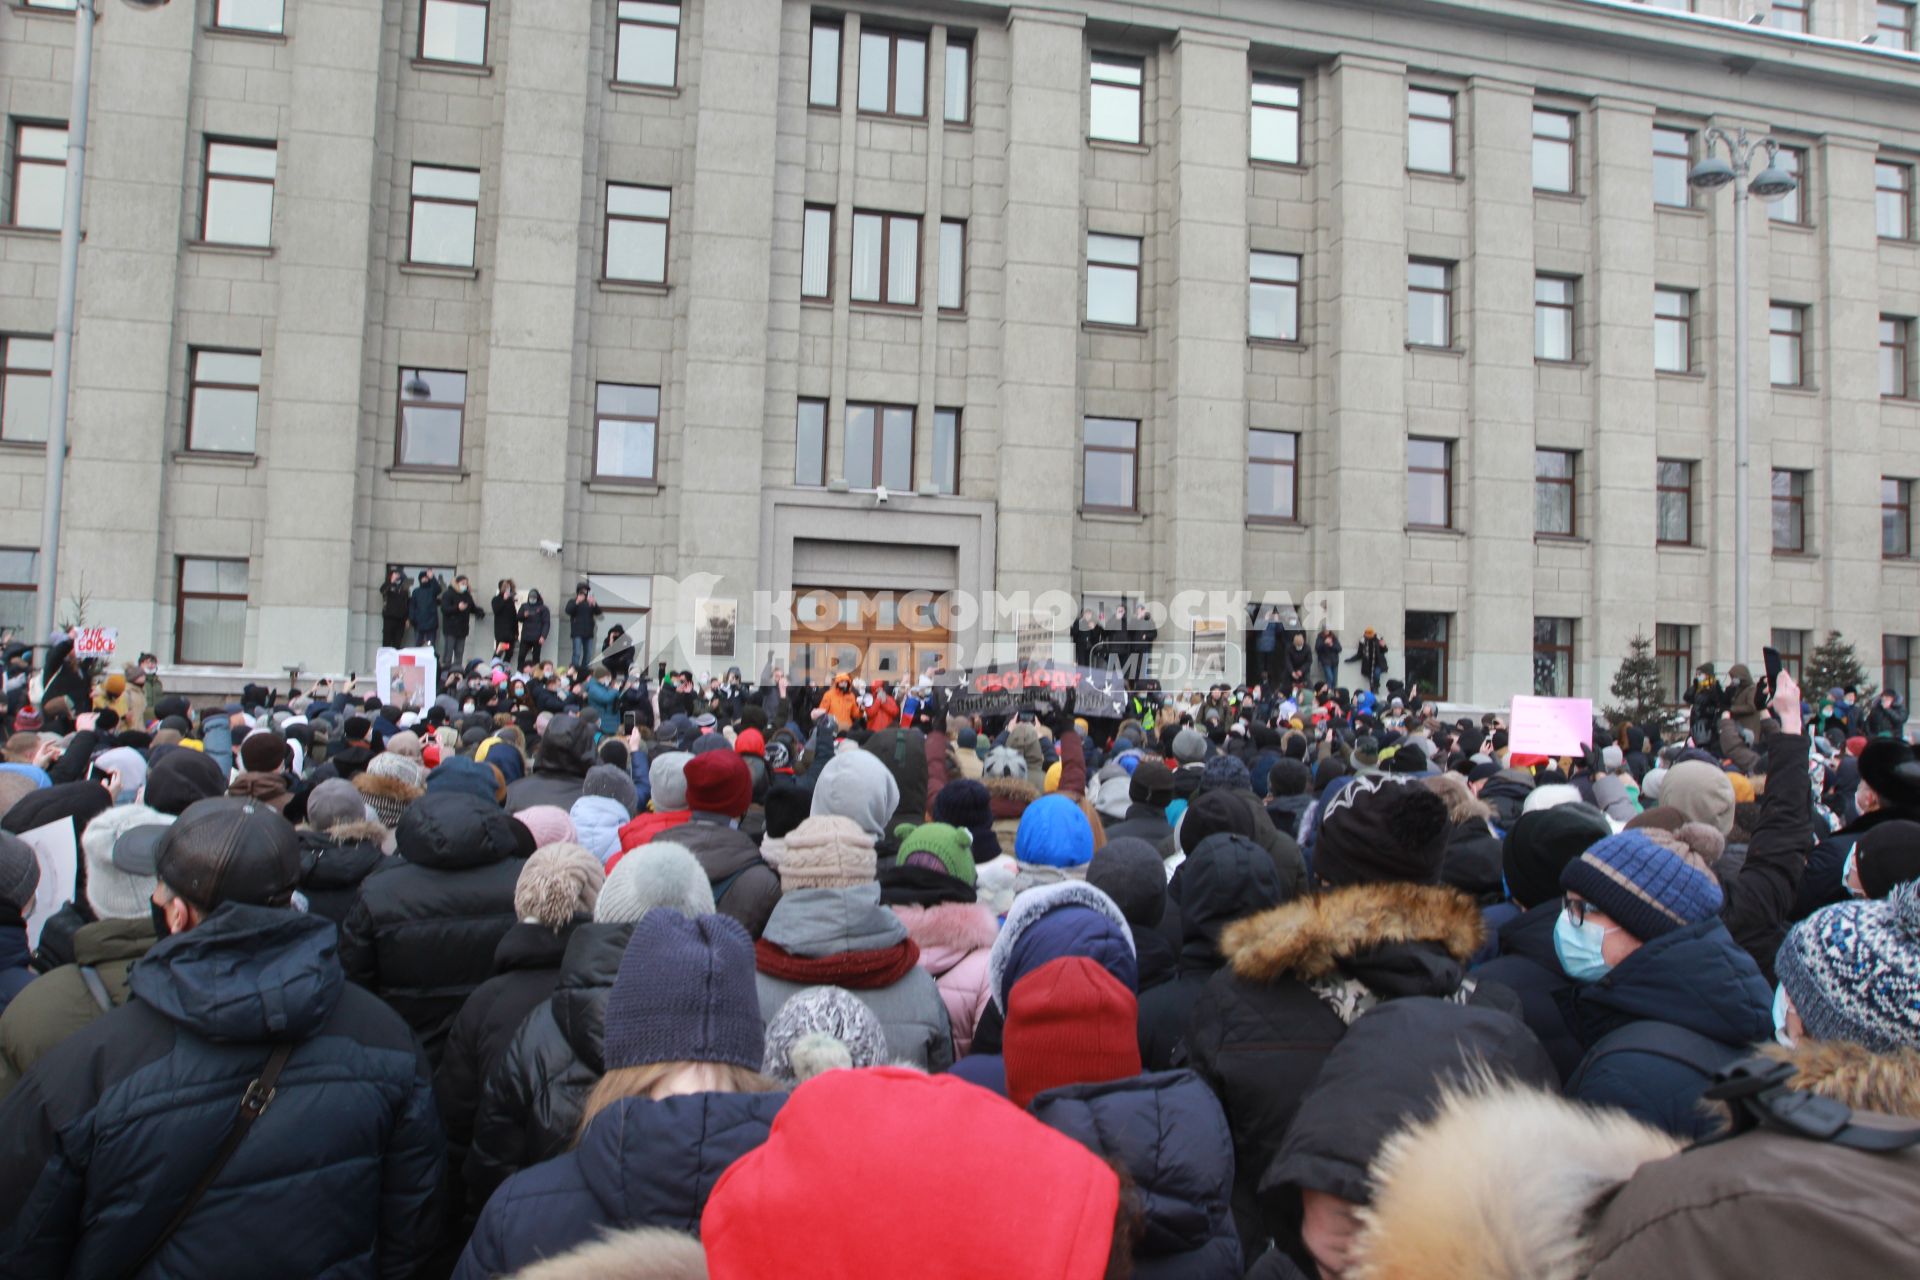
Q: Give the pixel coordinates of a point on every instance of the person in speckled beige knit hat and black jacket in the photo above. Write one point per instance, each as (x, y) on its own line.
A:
(556, 893)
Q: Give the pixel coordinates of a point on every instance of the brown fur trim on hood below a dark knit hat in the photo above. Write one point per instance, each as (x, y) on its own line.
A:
(1308, 939)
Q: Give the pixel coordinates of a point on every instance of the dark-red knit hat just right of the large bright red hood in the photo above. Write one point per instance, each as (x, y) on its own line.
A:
(1070, 1022)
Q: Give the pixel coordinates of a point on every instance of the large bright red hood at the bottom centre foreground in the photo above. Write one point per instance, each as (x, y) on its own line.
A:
(848, 1141)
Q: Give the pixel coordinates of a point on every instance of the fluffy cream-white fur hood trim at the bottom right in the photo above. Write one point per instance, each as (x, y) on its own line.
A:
(1497, 1187)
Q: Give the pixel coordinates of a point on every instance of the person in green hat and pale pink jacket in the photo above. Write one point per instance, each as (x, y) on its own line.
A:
(932, 891)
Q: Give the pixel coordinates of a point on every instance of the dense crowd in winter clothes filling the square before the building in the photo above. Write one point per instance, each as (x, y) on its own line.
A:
(581, 974)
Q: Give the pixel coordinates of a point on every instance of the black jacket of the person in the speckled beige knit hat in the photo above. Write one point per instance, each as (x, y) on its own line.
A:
(527, 966)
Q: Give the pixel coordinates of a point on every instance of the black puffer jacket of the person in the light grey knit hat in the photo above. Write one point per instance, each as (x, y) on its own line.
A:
(535, 1095)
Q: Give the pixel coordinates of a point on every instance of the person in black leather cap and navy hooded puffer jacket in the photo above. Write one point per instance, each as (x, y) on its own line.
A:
(108, 1135)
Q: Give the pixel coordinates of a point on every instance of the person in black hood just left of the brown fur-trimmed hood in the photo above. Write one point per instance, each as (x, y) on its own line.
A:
(1228, 878)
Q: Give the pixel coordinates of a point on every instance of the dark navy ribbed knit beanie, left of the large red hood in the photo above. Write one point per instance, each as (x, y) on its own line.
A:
(686, 993)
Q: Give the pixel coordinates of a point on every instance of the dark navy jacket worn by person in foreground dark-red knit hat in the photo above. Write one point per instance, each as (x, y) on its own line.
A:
(1172, 1137)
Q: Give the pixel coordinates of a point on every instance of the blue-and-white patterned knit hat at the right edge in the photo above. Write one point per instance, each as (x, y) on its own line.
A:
(1854, 972)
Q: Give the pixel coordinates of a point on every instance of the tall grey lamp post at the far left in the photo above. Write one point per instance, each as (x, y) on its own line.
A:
(85, 12)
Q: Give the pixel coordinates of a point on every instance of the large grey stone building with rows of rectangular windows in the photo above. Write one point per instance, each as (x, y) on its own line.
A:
(1403, 300)
